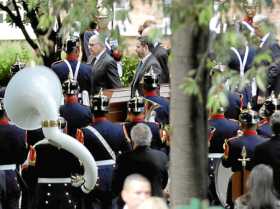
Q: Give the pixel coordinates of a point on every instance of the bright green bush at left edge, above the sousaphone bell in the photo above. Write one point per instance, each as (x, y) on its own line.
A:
(8, 54)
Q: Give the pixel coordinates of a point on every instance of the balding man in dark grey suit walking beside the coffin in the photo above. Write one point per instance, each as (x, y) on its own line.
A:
(104, 67)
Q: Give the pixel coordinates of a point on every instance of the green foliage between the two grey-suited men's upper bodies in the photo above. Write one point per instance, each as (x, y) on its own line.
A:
(129, 64)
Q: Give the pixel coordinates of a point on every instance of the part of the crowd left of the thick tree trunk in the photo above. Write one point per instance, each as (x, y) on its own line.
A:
(131, 156)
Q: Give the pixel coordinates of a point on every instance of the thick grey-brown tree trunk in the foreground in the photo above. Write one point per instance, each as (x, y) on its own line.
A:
(188, 118)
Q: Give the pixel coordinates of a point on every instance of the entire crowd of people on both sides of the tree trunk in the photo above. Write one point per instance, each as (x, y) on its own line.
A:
(132, 156)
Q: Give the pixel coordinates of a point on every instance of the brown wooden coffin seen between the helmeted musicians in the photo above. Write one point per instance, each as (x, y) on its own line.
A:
(120, 97)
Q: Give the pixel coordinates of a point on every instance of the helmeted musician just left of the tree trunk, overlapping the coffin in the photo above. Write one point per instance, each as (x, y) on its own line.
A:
(150, 90)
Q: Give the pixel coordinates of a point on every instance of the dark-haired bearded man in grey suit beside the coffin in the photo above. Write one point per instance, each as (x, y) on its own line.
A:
(148, 62)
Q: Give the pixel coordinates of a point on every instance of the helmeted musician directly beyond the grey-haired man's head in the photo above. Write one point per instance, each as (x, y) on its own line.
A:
(135, 115)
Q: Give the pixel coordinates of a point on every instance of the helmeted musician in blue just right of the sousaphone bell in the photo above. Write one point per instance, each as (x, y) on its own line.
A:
(76, 115)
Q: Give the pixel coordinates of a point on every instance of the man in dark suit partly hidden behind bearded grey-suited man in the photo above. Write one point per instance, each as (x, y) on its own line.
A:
(159, 52)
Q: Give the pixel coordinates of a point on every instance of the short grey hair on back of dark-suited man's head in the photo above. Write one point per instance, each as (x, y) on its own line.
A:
(141, 135)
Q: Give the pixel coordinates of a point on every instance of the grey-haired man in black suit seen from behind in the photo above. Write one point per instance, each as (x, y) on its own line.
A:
(142, 160)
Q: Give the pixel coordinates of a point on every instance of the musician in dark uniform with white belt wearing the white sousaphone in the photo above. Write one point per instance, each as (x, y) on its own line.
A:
(53, 168)
